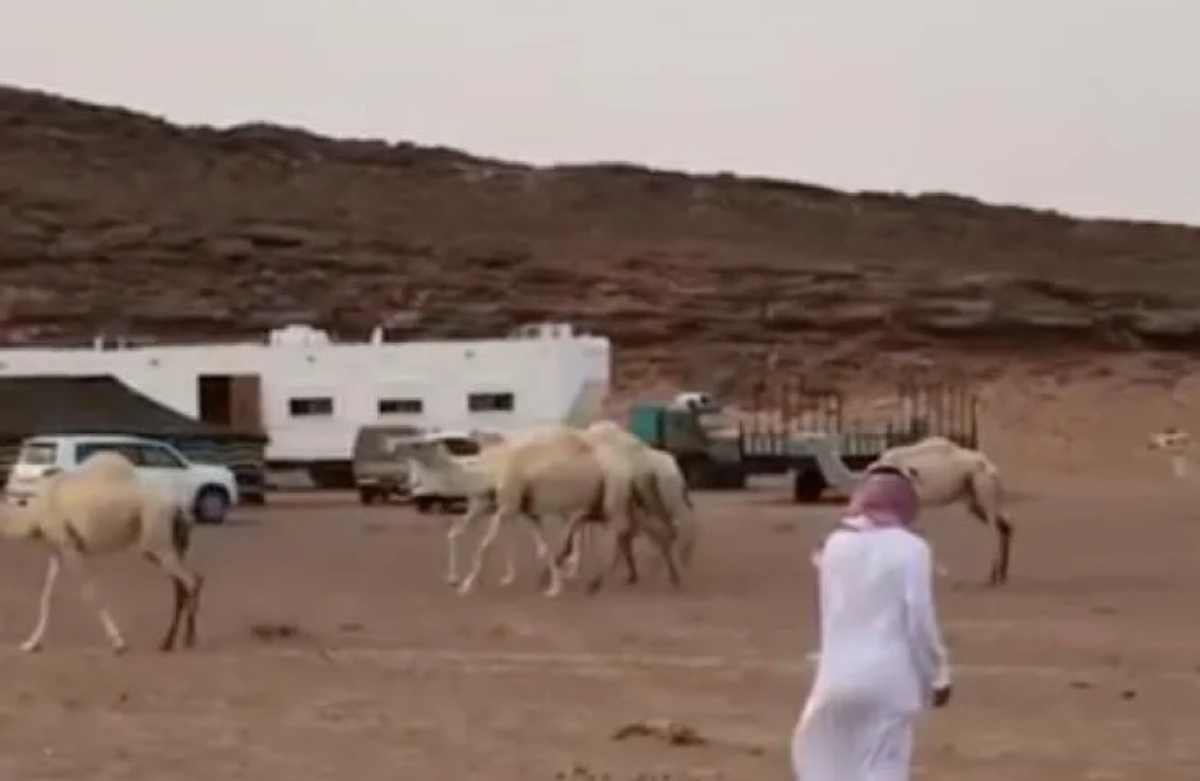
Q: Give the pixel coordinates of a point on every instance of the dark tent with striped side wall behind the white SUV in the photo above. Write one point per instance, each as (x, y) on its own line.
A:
(103, 405)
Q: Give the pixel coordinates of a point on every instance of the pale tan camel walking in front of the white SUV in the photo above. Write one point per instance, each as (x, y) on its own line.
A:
(99, 509)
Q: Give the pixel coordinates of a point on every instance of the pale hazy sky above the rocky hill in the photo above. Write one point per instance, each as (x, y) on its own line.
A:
(1088, 106)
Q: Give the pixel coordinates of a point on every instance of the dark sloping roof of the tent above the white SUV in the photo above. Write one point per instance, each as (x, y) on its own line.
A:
(99, 405)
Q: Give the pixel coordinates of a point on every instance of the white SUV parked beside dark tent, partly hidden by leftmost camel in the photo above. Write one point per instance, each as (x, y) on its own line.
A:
(206, 491)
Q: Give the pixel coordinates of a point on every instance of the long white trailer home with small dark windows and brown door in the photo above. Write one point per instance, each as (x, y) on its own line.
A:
(310, 394)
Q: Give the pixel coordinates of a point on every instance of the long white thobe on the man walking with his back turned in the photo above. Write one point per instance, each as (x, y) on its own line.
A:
(881, 657)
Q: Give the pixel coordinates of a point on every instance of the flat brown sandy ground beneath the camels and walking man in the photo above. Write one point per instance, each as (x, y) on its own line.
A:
(1087, 666)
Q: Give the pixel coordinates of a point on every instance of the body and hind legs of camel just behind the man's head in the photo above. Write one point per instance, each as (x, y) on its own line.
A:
(946, 473)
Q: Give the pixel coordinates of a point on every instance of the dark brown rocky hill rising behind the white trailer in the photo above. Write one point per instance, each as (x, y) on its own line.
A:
(122, 223)
